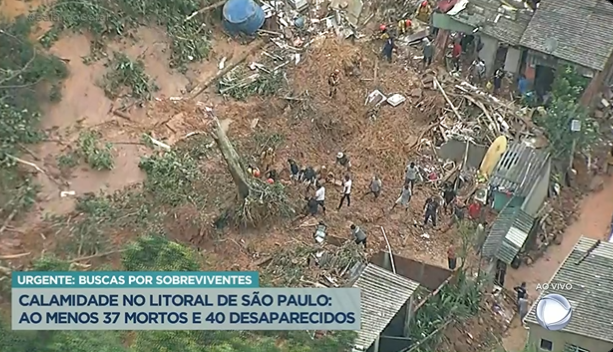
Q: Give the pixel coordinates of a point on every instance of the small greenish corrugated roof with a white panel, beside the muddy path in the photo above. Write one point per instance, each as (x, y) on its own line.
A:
(507, 235)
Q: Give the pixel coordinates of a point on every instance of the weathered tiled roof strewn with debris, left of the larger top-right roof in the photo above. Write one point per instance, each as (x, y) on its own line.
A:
(507, 27)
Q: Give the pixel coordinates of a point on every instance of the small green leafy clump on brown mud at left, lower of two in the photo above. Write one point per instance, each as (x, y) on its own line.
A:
(97, 155)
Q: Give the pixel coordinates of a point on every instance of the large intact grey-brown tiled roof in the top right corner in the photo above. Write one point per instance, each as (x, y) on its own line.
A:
(578, 31)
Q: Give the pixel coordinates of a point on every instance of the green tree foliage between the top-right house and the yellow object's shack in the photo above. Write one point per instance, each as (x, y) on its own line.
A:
(563, 109)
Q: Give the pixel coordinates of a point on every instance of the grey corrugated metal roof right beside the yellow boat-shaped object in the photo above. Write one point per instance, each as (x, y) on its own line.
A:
(519, 169)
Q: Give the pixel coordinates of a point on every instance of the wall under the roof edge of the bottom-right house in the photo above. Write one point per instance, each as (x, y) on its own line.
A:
(559, 338)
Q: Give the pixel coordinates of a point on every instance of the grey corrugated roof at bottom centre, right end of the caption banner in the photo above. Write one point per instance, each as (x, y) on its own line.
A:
(383, 294)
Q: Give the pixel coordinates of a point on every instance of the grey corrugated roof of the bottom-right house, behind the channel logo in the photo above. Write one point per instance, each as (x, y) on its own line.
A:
(590, 295)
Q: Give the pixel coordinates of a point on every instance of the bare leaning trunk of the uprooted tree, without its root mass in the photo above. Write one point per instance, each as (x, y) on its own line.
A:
(231, 156)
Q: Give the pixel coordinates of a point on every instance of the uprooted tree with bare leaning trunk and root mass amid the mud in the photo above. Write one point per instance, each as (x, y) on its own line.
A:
(258, 201)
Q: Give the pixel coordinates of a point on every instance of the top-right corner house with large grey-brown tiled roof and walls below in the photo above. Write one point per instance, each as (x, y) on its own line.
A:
(570, 31)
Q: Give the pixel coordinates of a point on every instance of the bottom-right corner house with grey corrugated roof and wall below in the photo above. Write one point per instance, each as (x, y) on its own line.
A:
(589, 270)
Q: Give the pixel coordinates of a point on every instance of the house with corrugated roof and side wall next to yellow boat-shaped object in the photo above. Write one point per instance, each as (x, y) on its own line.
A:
(521, 178)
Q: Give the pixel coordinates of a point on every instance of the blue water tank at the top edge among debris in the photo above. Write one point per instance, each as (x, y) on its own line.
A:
(243, 16)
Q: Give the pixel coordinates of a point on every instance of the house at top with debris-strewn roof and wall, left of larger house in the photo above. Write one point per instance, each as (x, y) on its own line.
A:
(499, 25)
